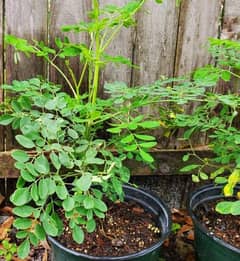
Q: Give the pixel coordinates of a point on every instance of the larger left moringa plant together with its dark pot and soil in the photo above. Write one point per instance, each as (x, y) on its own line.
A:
(71, 186)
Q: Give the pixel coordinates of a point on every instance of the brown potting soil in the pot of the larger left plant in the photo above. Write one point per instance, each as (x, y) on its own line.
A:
(126, 229)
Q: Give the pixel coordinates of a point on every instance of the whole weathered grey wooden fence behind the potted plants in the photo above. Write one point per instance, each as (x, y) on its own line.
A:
(168, 40)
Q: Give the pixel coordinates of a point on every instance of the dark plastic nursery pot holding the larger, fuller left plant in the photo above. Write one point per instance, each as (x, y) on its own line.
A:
(150, 203)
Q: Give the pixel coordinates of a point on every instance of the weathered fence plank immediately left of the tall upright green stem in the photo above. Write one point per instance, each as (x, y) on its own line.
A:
(65, 13)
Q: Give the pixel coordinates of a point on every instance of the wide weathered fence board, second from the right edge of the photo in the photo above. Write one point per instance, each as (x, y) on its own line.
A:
(199, 20)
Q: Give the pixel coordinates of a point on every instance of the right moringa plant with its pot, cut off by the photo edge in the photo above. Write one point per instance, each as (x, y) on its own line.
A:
(215, 209)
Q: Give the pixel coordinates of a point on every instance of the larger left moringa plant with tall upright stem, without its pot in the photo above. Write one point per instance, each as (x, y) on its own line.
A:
(73, 146)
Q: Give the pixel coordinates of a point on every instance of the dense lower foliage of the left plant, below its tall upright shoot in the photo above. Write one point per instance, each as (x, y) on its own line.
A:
(65, 163)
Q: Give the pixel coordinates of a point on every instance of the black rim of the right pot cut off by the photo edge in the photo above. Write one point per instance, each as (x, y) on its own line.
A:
(196, 222)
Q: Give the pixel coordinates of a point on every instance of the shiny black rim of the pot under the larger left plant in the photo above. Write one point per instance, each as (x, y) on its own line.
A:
(166, 214)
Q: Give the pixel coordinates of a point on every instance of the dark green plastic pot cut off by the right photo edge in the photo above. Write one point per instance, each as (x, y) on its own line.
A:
(207, 246)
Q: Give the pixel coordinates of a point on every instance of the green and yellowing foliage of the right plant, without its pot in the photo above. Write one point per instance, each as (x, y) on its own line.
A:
(217, 116)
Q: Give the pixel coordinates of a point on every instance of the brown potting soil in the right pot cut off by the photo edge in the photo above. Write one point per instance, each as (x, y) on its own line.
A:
(225, 227)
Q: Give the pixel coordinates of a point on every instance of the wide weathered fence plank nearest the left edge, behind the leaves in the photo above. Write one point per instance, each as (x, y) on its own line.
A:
(26, 19)
